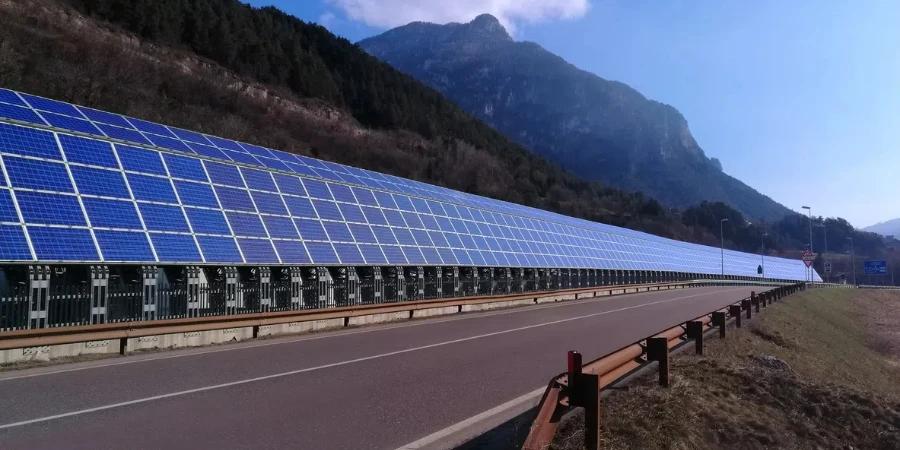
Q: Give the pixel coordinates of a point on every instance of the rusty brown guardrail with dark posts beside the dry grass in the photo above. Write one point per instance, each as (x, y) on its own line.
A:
(581, 385)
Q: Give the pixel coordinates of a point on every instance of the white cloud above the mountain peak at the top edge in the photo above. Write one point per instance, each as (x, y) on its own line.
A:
(393, 13)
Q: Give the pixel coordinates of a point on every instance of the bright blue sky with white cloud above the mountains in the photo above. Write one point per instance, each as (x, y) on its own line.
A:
(799, 99)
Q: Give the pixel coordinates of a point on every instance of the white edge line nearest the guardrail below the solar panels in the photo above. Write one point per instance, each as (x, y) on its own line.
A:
(134, 359)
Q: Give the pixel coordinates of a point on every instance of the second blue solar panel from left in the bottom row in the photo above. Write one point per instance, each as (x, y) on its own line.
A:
(63, 244)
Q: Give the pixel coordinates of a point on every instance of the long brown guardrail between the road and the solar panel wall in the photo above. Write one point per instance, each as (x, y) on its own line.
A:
(124, 331)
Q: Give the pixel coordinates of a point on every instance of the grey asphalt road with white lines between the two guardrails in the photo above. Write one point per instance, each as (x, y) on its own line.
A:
(369, 388)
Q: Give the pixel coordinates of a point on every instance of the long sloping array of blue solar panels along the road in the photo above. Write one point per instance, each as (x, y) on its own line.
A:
(82, 185)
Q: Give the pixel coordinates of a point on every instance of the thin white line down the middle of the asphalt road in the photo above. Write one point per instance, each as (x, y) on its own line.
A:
(337, 364)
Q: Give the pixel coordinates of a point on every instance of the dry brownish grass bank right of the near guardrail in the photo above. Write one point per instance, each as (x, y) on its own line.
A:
(836, 391)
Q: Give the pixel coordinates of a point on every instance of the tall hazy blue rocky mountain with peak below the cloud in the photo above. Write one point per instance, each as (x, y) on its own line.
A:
(599, 129)
